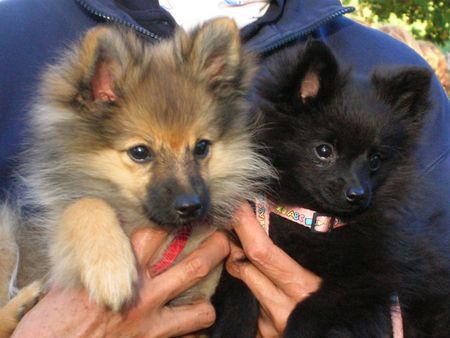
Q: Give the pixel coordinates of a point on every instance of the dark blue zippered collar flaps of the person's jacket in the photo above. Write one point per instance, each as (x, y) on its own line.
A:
(298, 18)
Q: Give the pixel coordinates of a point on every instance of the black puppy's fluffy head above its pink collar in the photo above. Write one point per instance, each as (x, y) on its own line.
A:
(340, 141)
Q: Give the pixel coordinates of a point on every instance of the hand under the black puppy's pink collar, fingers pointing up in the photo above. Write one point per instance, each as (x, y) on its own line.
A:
(277, 281)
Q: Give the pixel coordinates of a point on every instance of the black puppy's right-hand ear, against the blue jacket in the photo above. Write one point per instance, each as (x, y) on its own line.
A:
(406, 90)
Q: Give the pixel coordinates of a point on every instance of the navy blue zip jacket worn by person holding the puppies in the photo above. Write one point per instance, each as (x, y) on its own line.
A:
(33, 32)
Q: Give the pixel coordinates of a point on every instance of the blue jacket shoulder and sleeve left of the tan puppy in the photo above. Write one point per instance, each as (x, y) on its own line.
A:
(32, 34)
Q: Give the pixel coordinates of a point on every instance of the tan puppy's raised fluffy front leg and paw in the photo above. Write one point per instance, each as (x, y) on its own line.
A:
(91, 244)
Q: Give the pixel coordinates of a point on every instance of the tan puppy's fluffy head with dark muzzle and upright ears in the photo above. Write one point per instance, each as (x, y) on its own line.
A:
(161, 128)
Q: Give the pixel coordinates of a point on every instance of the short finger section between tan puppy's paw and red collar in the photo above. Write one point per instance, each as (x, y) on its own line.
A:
(146, 242)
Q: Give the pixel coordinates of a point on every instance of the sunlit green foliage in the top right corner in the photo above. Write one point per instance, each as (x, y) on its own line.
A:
(429, 20)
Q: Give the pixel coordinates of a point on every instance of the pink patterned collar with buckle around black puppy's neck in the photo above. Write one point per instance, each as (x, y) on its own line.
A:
(308, 218)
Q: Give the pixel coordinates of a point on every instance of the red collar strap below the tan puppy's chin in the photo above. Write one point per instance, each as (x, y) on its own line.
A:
(173, 250)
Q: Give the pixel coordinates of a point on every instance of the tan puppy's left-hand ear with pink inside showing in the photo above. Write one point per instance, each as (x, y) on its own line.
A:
(92, 71)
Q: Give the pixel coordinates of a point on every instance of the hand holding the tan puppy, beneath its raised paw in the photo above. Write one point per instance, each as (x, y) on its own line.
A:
(69, 313)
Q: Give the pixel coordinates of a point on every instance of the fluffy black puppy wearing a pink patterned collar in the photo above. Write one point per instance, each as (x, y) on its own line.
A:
(344, 149)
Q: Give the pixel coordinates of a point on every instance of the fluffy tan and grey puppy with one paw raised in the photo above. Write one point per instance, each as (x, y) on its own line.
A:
(108, 94)
